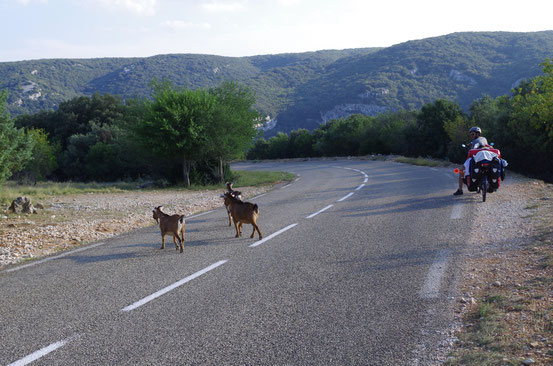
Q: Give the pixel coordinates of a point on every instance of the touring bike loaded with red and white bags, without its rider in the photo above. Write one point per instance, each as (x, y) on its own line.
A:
(485, 170)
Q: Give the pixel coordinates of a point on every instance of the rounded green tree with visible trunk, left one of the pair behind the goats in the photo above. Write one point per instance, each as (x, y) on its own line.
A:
(175, 124)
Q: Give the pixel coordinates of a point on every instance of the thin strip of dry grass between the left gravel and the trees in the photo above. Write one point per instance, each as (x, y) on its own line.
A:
(42, 190)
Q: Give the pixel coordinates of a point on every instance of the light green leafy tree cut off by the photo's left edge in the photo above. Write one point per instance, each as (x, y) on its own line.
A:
(15, 146)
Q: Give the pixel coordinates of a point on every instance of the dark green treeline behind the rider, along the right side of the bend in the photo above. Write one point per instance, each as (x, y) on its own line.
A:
(520, 125)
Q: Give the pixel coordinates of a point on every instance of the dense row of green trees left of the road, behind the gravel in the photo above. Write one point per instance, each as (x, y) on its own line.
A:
(177, 135)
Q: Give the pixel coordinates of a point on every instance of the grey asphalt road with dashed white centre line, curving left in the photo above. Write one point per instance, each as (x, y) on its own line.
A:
(358, 266)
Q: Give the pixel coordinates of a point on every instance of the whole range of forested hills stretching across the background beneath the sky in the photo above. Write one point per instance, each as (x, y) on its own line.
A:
(304, 89)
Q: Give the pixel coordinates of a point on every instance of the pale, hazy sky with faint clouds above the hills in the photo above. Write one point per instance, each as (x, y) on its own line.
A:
(38, 29)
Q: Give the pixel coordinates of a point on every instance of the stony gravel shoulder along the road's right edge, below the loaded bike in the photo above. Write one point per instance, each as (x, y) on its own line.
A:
(509, 239)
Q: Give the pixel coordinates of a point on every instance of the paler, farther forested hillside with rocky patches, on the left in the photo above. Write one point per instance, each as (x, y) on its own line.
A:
(43, 84)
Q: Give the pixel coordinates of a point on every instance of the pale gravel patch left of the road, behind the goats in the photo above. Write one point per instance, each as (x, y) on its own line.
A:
(70, 221)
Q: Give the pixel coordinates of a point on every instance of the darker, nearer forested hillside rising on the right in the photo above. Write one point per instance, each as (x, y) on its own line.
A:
(459, 67)
